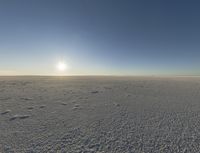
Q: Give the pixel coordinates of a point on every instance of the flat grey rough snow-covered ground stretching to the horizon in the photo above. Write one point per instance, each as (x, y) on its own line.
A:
(99, 115)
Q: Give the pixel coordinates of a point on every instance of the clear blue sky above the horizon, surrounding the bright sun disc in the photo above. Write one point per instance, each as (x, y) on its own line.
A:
(100, 37)
